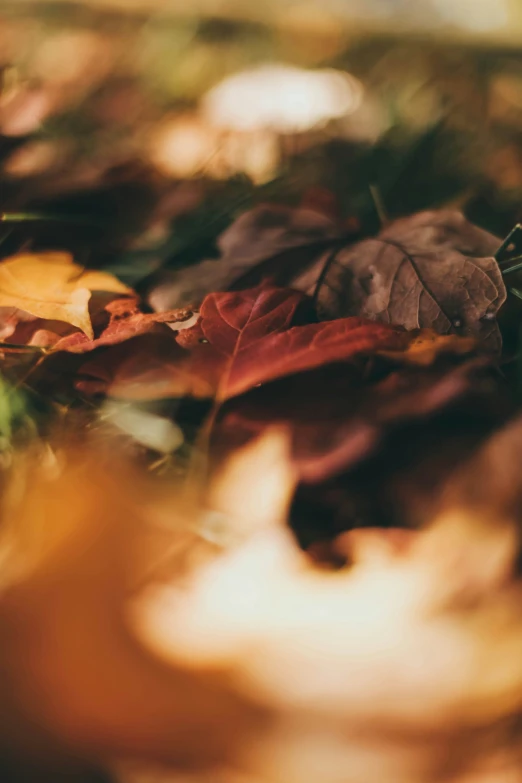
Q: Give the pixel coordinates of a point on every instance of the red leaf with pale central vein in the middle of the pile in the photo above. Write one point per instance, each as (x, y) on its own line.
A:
(243, 339)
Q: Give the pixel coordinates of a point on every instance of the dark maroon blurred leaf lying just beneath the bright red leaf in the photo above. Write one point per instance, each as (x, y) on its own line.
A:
(340, 415)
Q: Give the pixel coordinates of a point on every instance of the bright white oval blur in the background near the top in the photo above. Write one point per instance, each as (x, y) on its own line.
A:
(281, 98)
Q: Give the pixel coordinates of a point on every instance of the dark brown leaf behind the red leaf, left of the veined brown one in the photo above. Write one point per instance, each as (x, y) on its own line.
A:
(257, 236)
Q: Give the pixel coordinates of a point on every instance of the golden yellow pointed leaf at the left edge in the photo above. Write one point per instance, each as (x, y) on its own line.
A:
(53, 287)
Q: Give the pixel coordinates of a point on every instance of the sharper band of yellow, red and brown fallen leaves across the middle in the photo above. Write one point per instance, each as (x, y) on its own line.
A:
(363, 351)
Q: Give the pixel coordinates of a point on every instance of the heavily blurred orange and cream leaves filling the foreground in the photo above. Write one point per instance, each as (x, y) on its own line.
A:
(117, 649)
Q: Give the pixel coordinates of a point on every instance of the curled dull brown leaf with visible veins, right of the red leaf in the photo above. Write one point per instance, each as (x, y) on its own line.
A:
(434, 270)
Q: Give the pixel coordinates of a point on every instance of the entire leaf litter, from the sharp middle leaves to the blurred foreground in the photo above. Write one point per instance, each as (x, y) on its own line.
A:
(262, 518)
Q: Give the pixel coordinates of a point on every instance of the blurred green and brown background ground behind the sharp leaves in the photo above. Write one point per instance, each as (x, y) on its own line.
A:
(131, 114)
